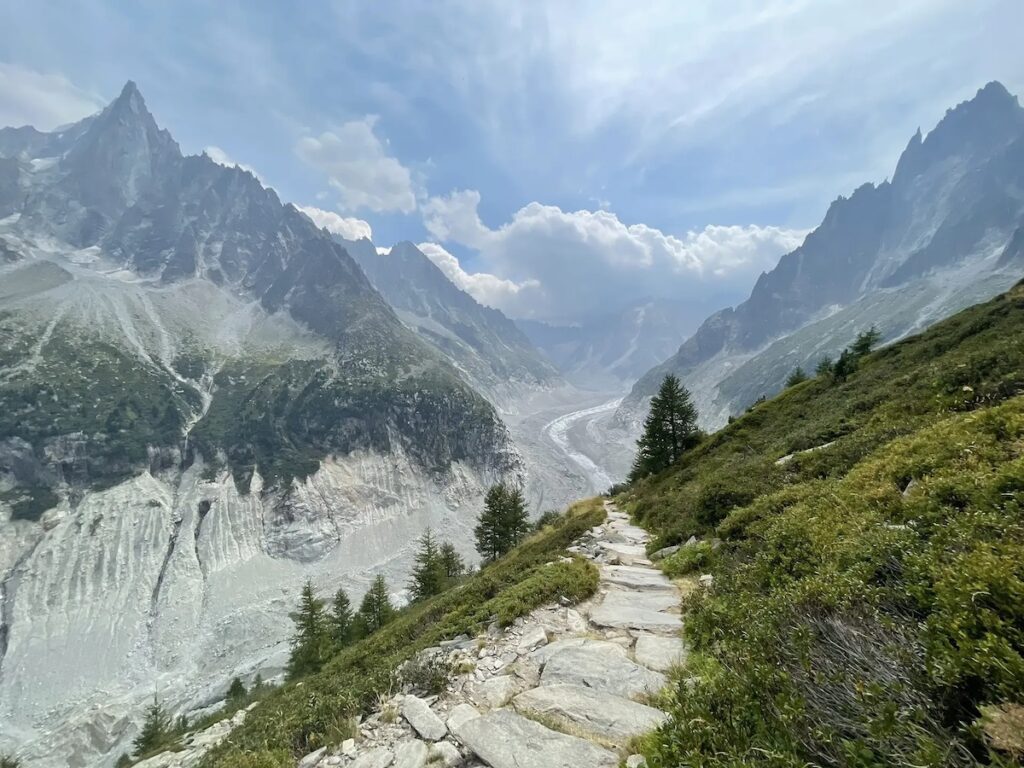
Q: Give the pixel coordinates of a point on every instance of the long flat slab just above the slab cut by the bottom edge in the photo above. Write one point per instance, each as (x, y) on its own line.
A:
(593, 713)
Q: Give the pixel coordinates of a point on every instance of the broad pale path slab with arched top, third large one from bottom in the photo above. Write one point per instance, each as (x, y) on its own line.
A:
(603, 667)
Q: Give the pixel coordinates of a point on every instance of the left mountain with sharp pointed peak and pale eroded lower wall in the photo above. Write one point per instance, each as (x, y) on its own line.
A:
(204, 403)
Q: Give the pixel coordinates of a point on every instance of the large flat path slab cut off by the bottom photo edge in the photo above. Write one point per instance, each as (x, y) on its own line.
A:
(504, 740)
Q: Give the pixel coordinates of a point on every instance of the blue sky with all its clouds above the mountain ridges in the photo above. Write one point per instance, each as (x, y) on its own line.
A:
(558, 160)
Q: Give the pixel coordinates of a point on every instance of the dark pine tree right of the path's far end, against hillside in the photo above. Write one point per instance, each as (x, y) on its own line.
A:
(671, 429)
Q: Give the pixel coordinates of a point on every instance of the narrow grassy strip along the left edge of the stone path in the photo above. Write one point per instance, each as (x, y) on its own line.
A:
(306, 715)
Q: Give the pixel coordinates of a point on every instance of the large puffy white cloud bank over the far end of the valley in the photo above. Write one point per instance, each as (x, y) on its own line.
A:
(580, 264)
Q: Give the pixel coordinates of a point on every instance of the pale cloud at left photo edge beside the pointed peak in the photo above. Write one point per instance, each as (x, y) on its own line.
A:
(44, 101)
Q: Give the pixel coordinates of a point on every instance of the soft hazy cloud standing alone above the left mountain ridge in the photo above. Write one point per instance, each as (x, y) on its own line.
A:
(359, 167)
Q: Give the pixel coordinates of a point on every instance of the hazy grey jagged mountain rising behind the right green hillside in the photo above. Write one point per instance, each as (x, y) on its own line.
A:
(944, 234)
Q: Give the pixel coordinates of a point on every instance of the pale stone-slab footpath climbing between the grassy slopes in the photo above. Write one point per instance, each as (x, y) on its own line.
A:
(565, 688)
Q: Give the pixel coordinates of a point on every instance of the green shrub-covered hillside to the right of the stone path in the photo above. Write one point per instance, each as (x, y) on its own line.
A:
(869, 598)
